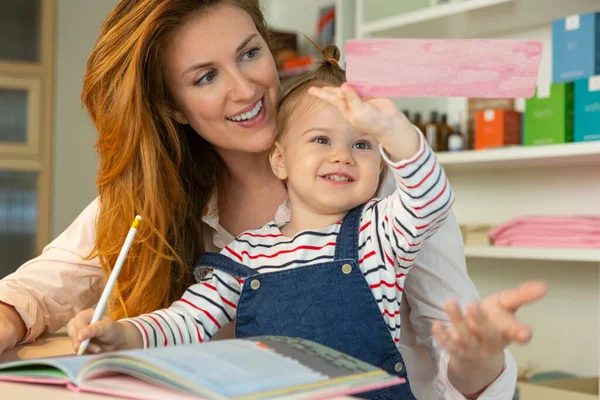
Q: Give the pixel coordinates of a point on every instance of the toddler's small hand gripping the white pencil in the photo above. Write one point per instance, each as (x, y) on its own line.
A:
(106, 334)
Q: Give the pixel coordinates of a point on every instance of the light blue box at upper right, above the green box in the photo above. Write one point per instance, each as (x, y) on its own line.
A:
(575, 47)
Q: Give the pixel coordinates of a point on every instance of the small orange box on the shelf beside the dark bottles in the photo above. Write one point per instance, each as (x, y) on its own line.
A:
(496, 128)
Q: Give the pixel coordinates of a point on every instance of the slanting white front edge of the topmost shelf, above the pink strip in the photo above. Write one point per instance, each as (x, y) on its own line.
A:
(428, 14)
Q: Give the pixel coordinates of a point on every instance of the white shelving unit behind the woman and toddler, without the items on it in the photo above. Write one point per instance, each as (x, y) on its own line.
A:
(496, 185)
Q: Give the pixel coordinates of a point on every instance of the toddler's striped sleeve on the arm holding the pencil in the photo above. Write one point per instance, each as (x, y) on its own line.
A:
(202, 311)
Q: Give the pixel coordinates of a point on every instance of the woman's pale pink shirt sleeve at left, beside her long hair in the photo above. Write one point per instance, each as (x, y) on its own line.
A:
(50, 289)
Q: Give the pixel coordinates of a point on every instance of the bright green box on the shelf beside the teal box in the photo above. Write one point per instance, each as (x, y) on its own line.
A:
(549, 115)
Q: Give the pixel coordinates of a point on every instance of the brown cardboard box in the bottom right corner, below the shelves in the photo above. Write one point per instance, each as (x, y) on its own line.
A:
(559, 389)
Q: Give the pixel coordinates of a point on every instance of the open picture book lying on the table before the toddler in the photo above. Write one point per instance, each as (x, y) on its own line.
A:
(265, 367)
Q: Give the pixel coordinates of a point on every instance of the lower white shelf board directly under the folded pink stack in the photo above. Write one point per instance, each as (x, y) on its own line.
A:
(530, 253)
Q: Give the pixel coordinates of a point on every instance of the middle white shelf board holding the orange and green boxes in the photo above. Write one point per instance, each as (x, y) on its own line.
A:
(568, 154)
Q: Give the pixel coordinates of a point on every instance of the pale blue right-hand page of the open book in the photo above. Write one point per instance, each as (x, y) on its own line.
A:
(227, 368)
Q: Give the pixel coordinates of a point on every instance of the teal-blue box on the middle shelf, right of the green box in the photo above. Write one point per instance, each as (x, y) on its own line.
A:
(587, 109)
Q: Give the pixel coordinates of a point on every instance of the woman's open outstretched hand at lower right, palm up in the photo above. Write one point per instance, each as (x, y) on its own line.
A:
(476, 340)
